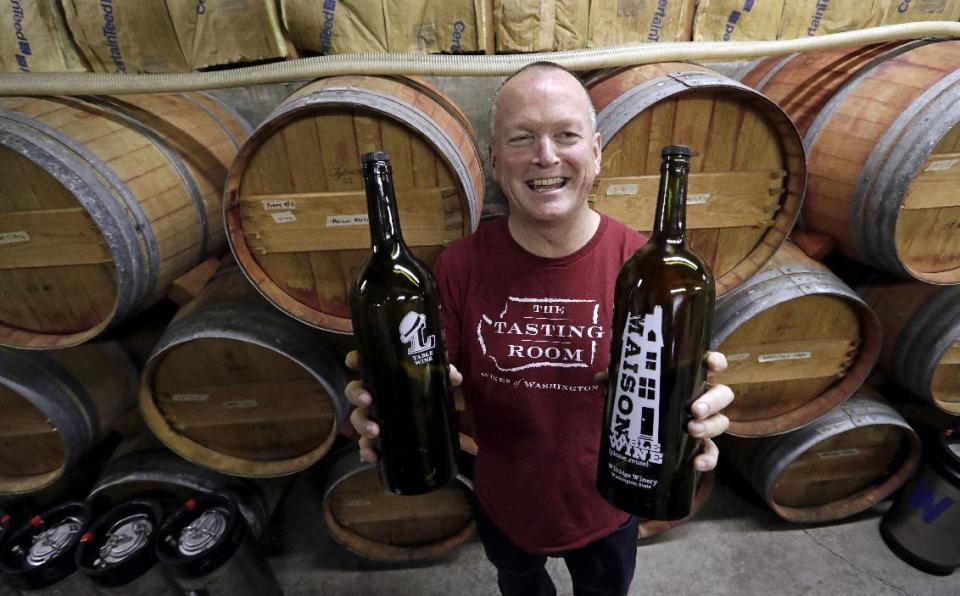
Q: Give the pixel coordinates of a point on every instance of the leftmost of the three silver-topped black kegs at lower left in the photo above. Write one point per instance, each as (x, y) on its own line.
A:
(39, 556)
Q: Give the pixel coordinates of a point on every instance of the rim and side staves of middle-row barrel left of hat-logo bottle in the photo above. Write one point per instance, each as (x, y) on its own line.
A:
(247, 318)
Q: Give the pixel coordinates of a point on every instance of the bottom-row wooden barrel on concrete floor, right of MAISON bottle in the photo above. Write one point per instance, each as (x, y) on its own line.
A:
(841, 464)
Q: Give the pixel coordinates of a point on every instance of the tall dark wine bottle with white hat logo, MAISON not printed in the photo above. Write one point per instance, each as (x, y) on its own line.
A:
(396, 320)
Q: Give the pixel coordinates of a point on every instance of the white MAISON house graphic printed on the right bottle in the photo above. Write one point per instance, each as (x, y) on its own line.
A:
(635, 423)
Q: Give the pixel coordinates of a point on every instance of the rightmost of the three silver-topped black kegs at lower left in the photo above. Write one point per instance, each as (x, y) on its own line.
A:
(207, 548)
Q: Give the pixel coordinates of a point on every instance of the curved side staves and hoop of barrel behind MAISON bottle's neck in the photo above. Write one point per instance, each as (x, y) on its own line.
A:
(665, 80)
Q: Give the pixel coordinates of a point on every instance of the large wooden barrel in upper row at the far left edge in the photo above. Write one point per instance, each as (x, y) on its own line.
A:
(104, 202)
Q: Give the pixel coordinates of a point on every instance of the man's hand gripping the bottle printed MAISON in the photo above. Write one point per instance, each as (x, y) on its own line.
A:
(707, 420)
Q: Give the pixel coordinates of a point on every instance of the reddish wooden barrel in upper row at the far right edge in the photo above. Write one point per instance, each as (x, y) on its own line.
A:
(881, 128)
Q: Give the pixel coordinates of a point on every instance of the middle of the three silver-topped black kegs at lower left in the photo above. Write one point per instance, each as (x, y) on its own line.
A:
(119, 553)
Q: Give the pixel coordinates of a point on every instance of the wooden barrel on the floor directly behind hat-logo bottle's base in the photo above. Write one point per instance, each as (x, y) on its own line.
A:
(375, 524)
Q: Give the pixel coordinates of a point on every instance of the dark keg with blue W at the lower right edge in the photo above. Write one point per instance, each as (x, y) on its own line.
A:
(922, 525)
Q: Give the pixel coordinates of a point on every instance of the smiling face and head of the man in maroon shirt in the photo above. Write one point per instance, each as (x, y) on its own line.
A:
(545, 153)
